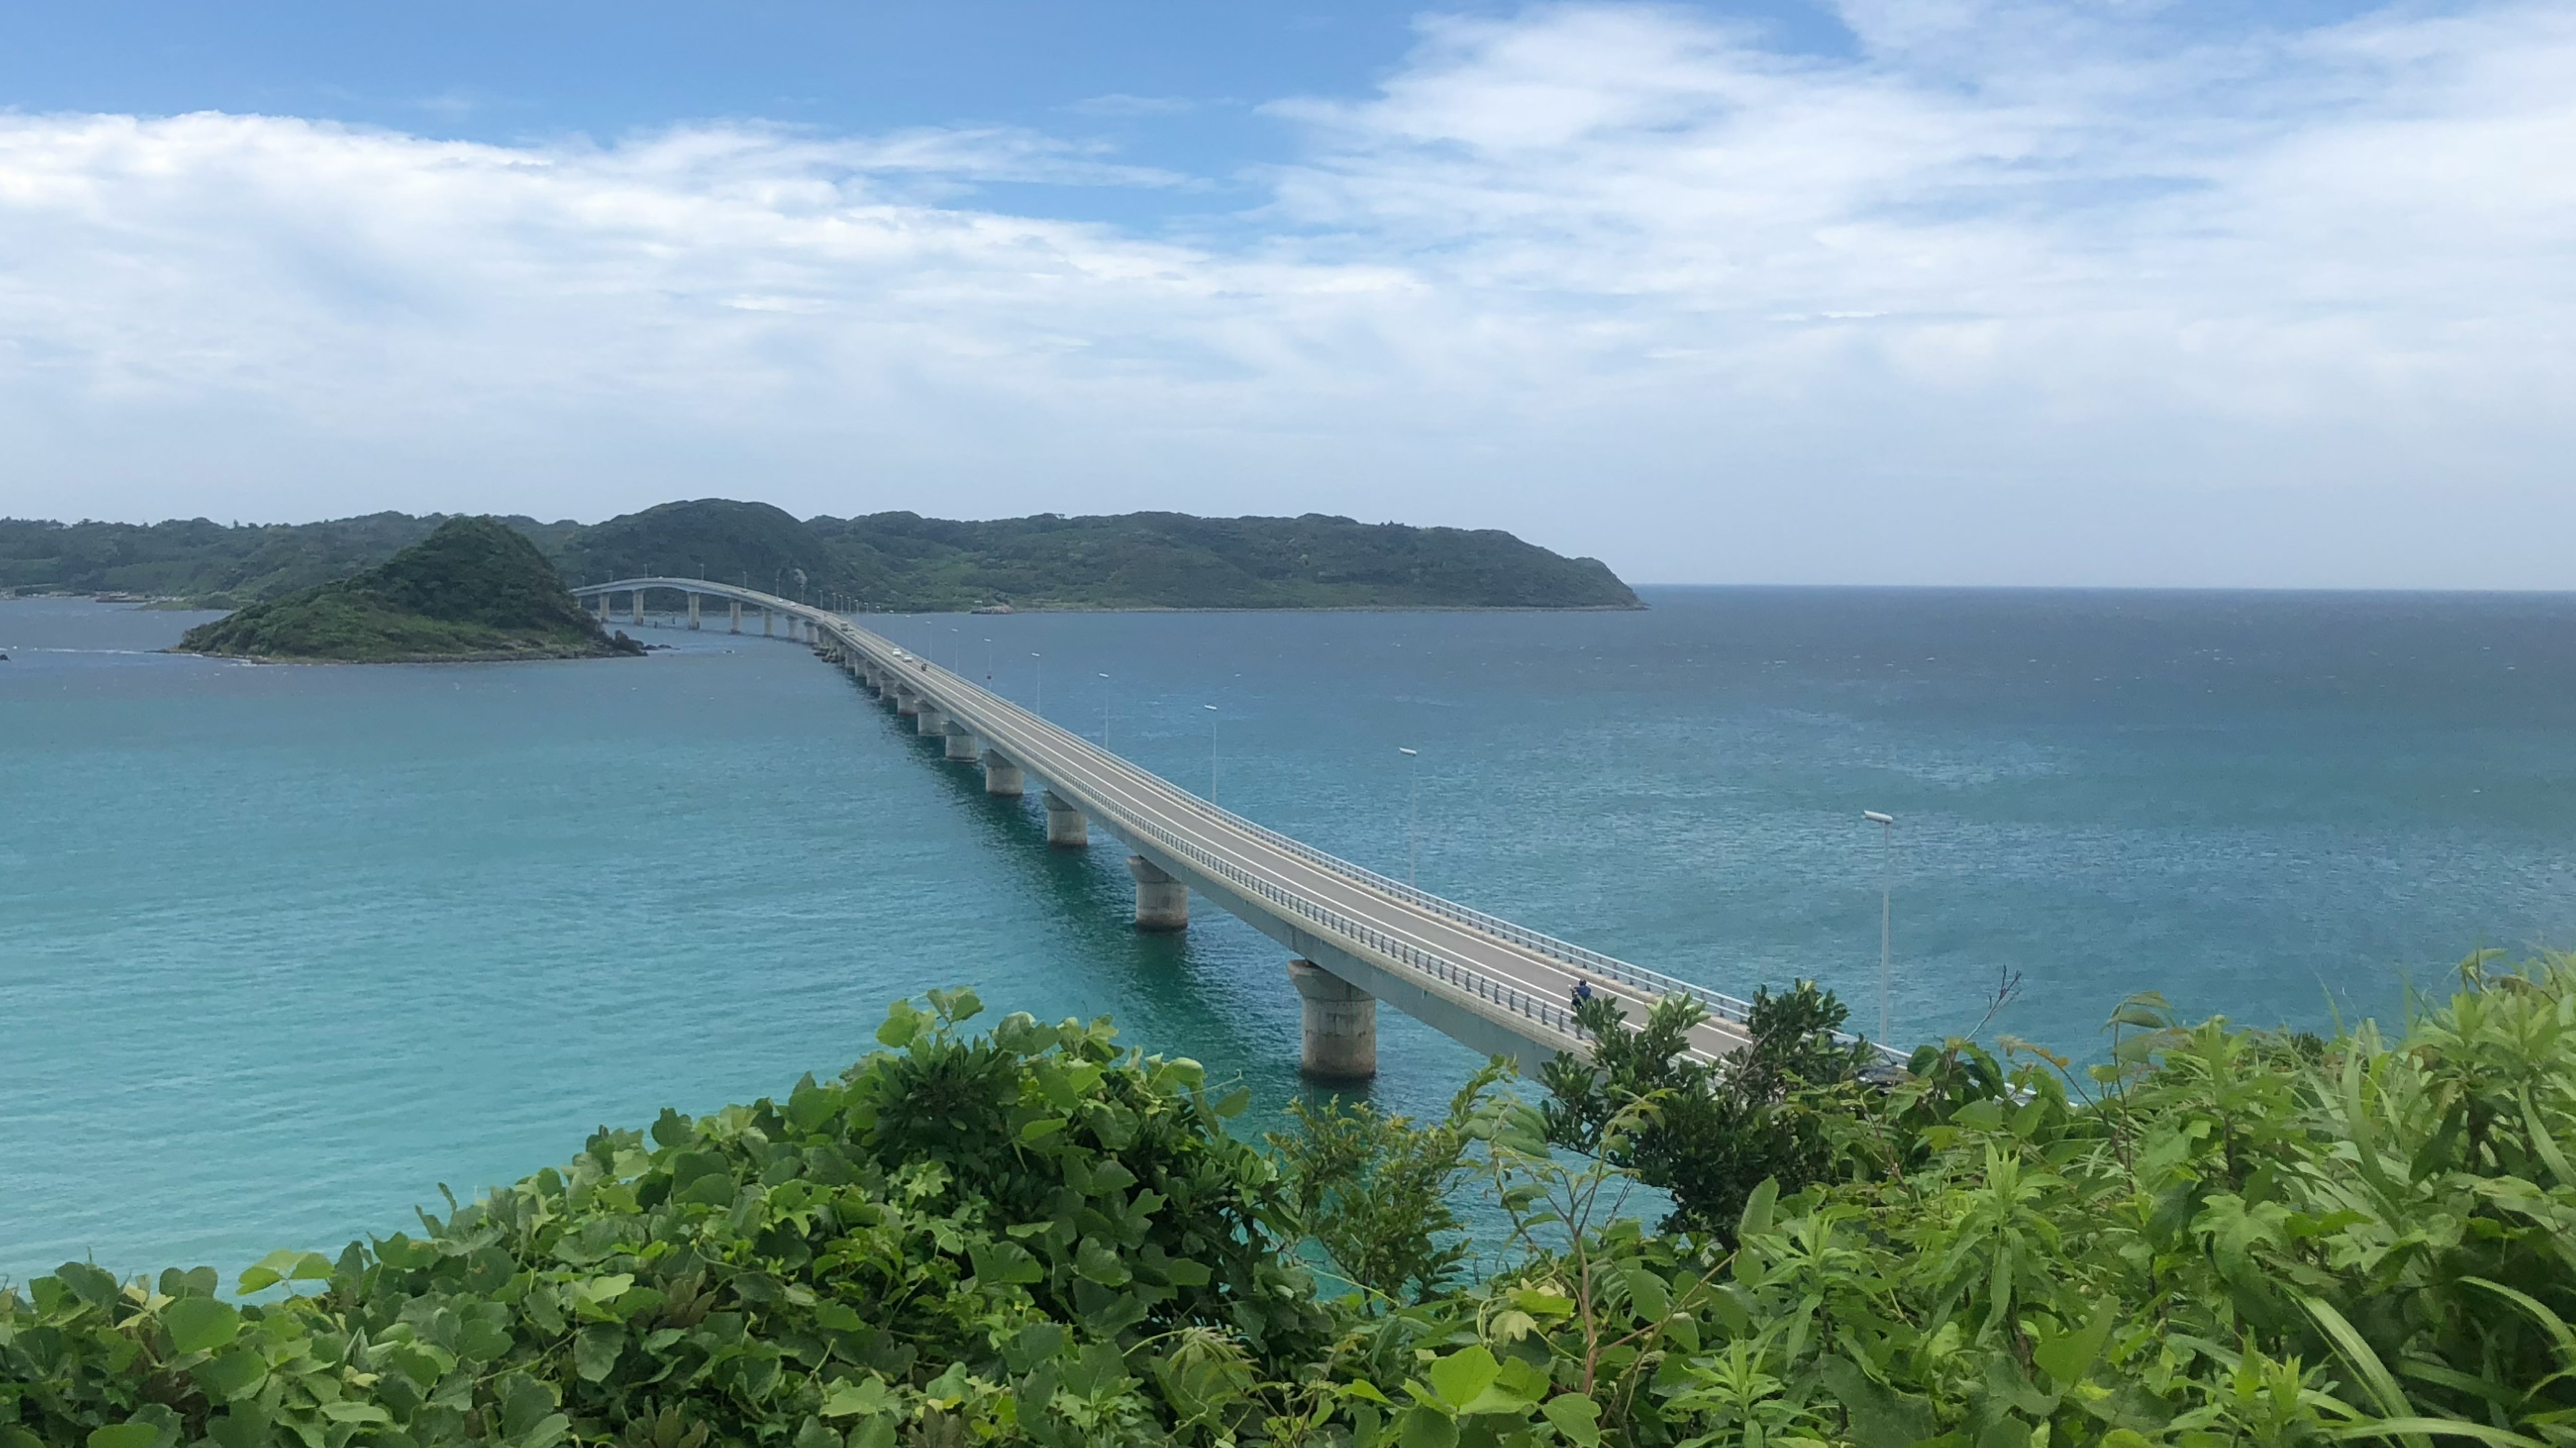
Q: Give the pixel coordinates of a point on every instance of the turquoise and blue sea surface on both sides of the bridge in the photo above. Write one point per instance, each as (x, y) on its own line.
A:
(287, 949)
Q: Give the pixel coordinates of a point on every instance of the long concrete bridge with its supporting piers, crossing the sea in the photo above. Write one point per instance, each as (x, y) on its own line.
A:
(1354, 937)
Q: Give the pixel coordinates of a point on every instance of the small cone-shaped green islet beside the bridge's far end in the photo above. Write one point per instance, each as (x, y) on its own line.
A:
(475, 589)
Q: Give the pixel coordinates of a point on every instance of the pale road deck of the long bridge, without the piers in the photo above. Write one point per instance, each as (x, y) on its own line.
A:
(1472, 975)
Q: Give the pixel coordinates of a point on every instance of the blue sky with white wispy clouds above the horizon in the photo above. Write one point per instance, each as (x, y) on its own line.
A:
(1969, 292)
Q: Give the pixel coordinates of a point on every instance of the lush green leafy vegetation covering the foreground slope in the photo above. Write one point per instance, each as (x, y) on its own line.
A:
(1029, 1235)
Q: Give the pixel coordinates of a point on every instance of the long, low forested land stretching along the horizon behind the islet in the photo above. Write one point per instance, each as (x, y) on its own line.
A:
(882, 560)
